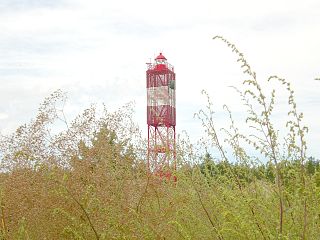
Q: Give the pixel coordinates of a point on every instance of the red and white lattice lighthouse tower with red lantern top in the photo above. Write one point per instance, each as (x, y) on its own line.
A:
(161, 117)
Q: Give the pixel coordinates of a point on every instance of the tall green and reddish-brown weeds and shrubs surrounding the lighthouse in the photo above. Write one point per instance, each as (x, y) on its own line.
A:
(89, 180)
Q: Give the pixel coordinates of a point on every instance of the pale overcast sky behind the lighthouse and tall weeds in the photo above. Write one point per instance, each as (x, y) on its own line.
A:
(96, 51)
